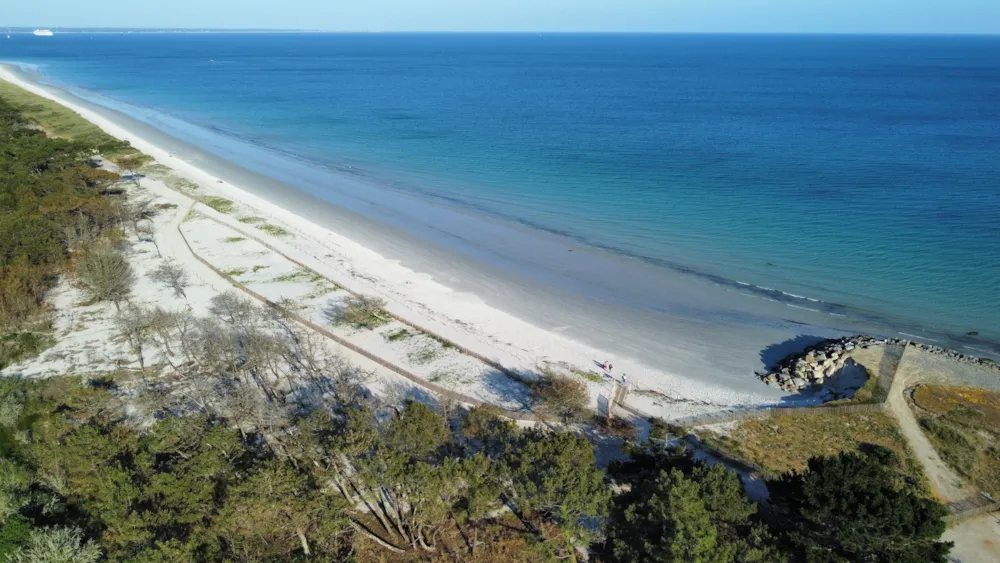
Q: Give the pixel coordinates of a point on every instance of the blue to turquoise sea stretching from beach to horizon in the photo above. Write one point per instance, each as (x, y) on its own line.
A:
(862, 172)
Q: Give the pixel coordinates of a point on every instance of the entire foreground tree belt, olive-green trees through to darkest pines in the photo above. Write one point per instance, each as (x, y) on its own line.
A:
(364, 483)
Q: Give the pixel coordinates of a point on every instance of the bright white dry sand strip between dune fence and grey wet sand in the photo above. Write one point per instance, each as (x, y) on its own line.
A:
(491, 332)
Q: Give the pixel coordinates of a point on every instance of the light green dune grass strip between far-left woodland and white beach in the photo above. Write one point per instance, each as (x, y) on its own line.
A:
(58, 121)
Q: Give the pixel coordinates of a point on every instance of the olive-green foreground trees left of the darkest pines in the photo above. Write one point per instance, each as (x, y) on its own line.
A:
(401, 483)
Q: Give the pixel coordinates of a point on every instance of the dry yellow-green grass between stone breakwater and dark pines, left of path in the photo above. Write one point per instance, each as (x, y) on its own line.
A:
(784, 443)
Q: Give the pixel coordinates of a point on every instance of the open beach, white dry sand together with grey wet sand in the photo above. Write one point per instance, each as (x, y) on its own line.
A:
(710, 361)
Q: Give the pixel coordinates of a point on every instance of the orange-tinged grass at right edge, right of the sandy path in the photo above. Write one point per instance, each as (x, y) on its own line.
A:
(963, 423)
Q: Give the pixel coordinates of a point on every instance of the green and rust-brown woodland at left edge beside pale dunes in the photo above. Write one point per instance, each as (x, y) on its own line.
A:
(52, 203)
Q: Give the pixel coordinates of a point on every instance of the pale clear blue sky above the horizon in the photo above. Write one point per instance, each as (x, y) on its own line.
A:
(824, 16)
